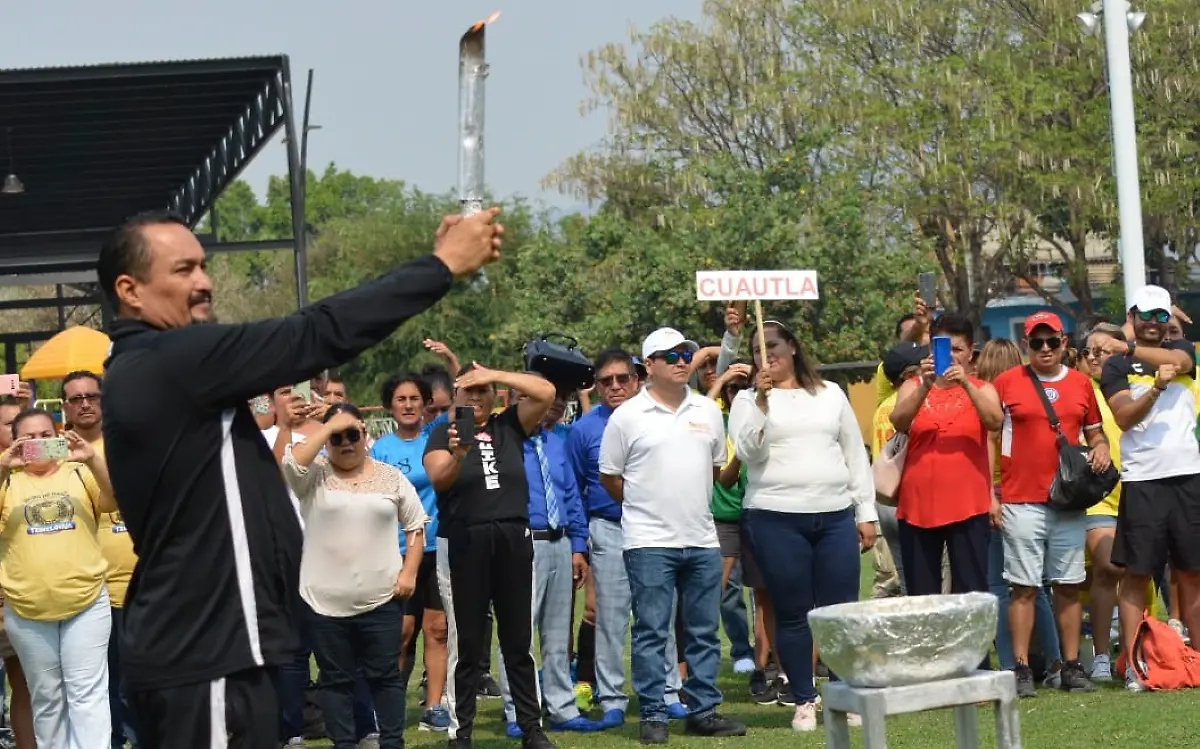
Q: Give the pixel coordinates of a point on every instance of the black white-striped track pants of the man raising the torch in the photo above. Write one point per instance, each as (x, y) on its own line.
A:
(237, 712)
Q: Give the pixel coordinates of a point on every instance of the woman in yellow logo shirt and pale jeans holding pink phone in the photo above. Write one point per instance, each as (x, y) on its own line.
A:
(52, 573)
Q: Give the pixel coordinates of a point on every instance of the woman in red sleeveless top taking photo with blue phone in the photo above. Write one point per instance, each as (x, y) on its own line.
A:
(946, 486)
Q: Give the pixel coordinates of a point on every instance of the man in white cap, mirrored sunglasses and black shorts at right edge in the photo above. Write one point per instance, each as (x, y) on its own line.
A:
(1149, 385)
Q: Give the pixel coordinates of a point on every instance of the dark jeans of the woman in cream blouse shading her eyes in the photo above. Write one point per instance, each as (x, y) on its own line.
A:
(368, 645)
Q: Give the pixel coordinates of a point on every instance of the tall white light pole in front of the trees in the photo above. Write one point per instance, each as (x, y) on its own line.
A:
(1119, 23)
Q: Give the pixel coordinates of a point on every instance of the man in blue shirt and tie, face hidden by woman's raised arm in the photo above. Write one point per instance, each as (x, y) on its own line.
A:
(560, 556)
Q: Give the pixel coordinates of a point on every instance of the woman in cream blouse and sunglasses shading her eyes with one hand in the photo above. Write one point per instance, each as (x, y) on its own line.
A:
(352, 576)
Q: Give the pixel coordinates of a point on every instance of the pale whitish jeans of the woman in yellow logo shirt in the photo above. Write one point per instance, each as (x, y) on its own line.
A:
(67, 669)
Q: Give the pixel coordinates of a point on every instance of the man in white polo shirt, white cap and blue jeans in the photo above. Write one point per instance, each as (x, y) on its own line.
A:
(659, 457)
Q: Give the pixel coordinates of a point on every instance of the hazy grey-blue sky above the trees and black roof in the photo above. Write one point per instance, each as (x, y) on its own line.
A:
(386, 88)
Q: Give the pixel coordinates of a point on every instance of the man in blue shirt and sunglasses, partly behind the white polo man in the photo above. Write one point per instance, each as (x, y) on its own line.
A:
(617, 381)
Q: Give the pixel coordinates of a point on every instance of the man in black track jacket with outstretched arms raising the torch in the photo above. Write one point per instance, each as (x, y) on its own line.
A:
(214, 601)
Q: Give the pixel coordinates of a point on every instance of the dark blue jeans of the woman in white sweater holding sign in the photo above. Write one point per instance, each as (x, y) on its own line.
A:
(808, 560)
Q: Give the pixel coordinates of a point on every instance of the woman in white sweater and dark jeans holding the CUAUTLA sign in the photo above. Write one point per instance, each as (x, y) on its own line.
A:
(809, 502)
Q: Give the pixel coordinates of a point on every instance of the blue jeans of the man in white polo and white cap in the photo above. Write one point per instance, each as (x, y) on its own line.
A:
(655, 577)
